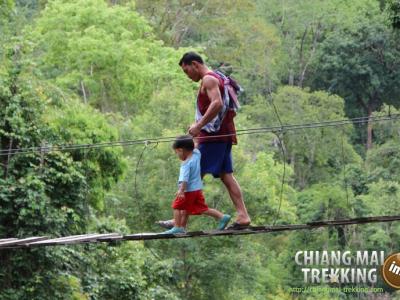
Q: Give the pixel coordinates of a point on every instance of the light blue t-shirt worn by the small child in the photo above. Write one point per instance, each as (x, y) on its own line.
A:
(190, 172)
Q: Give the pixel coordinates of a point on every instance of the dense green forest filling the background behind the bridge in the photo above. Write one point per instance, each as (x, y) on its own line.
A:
(91, 71)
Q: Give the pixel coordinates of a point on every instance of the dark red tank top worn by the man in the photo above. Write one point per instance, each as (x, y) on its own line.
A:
(227, 126)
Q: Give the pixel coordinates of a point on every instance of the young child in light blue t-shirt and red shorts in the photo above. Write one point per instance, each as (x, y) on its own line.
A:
(189, 197)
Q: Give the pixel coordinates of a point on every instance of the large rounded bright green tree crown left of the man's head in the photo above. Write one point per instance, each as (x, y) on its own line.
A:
(106, 54)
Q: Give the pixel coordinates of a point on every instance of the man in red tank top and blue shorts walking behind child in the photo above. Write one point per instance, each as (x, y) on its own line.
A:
(214, 132)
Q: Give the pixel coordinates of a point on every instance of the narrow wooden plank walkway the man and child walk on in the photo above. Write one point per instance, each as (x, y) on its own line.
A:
(7, 243)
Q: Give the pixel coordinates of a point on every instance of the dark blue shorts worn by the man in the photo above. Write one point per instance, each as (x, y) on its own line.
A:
(216, 158)
